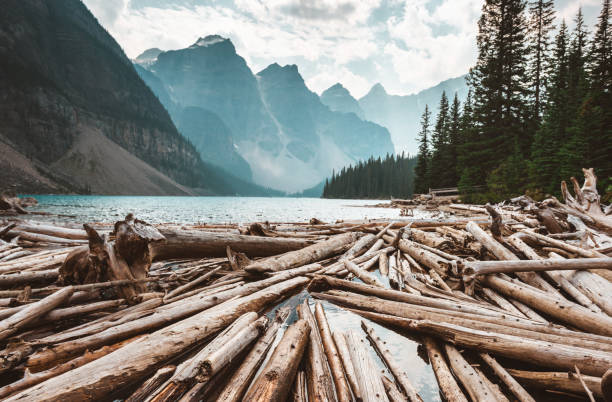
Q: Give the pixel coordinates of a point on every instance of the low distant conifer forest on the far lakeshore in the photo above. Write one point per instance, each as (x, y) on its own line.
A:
(375, 178)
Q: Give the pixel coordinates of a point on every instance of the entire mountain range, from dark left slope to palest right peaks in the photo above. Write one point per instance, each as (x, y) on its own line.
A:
(76, 115)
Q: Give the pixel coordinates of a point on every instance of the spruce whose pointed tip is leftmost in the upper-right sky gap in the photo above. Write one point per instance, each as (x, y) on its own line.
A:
(553, 132)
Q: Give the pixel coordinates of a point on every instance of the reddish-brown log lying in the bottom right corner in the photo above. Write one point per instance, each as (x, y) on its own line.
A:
(560, 381)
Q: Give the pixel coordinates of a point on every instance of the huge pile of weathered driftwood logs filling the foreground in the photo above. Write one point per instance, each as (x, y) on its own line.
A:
(509, 302)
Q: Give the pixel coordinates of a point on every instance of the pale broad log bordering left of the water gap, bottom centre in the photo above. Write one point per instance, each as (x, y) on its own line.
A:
(370, 383)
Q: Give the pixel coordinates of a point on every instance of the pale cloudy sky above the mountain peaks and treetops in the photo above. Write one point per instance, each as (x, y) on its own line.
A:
(407, 45)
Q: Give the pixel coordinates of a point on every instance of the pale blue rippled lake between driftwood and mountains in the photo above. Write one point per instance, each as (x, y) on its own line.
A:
(93, 208)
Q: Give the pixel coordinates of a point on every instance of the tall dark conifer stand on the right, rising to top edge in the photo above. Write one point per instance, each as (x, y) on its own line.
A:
(539, 107)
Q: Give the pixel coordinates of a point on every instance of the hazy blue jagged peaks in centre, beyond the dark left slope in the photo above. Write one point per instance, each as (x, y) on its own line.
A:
(290, 139)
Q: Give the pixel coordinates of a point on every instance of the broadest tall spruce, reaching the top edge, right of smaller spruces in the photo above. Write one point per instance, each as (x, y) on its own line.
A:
(500, 88)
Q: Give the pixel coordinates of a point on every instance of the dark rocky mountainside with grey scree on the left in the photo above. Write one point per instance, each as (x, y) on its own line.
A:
(75, 116)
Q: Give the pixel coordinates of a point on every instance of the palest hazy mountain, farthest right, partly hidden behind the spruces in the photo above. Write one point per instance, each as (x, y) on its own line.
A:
(402, 114)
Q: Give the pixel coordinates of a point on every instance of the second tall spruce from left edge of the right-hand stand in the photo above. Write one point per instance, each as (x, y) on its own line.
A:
(440, 153)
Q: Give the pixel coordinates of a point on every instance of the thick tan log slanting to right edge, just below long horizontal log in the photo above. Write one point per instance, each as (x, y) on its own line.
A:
(562, 310)
